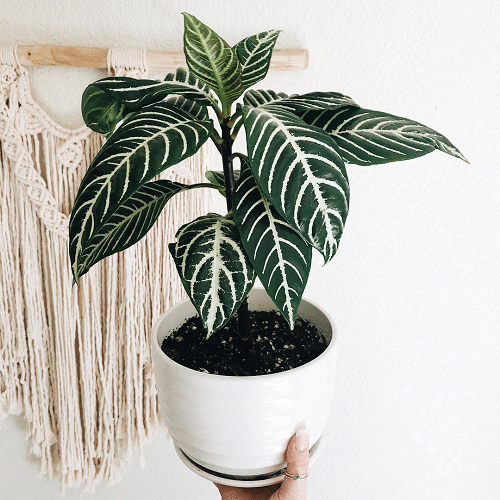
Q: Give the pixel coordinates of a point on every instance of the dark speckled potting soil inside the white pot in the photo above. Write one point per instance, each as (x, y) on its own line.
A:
(270, 347)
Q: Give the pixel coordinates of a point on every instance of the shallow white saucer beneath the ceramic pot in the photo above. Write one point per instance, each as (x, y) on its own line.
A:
(243, 481)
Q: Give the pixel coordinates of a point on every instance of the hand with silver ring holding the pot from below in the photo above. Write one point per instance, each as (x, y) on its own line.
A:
(297, 457)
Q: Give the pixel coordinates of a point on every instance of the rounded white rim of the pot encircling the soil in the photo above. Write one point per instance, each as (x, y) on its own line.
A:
(329, 351)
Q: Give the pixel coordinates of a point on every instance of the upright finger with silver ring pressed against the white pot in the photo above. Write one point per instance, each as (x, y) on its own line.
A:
(297, 458)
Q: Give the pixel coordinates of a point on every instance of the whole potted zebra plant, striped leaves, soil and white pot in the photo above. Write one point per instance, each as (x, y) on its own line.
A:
(232, 422)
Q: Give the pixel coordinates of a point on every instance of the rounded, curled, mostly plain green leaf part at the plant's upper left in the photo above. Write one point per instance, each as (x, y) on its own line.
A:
(100, 111)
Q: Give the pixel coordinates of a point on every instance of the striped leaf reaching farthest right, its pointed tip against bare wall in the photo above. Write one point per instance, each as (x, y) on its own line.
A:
(368, 137)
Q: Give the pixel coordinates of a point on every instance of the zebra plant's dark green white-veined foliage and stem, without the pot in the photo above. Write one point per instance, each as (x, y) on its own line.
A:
(290, 195)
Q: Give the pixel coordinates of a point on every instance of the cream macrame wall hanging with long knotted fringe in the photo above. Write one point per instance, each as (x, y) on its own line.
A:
(76, 360)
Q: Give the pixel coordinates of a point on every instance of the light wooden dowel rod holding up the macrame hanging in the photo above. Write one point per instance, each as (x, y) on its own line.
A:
(93, 57)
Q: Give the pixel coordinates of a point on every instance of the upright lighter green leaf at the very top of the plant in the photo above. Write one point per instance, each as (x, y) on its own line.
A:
(212, 60)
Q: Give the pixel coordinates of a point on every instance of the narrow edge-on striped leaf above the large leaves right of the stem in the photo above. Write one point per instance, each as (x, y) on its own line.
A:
(297, 103)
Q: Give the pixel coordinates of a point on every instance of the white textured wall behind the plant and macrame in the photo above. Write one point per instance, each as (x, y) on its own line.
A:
(414, 287)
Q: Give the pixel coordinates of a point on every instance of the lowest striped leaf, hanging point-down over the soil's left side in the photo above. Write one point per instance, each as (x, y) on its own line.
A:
(213, 267)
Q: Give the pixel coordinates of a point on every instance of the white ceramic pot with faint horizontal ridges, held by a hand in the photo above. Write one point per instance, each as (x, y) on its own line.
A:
(237, 428)
